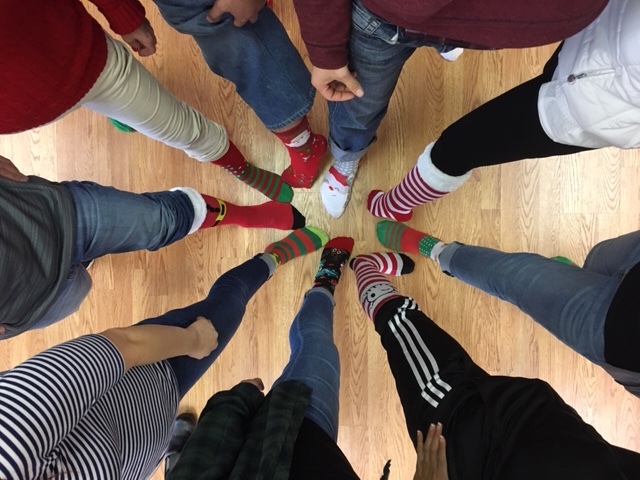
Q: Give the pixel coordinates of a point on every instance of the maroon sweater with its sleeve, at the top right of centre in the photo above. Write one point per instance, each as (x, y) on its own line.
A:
(325, 24)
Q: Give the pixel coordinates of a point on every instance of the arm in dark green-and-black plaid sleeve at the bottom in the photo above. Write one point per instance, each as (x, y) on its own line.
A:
(213, 448)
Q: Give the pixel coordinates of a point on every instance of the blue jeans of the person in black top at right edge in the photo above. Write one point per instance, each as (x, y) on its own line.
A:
(571, 302)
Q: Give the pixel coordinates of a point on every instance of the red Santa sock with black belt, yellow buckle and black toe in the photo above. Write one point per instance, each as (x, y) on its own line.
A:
(283, 216)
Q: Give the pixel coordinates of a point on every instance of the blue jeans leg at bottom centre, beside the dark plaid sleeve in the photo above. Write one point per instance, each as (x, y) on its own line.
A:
(314, 359)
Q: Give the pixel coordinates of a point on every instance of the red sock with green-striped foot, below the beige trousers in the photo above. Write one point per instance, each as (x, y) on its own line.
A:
(267, 183)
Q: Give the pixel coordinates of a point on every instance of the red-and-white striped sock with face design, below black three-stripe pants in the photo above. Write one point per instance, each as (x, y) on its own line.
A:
(373, 288)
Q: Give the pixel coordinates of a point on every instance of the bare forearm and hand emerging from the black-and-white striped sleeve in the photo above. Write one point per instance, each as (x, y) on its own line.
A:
(145, 344)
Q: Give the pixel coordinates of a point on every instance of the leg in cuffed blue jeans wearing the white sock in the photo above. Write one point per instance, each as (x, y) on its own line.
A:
(378, 59)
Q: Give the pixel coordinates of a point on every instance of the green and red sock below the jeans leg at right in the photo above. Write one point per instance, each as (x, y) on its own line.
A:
(397, 236)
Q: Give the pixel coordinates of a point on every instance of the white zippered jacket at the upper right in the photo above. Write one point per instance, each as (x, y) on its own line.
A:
(594, 98)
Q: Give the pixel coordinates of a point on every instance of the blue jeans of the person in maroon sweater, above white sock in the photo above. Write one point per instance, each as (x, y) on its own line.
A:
(377, 52)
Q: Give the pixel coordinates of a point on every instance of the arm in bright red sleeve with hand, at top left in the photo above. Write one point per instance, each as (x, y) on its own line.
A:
(127, 18)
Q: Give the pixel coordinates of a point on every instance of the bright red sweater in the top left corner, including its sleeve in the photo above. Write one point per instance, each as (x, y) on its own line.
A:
(51, 54)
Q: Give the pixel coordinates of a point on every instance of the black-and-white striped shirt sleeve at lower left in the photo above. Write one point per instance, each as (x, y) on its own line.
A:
(44, 398)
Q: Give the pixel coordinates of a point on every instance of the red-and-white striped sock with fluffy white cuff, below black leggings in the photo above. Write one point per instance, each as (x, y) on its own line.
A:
(424, 183)
